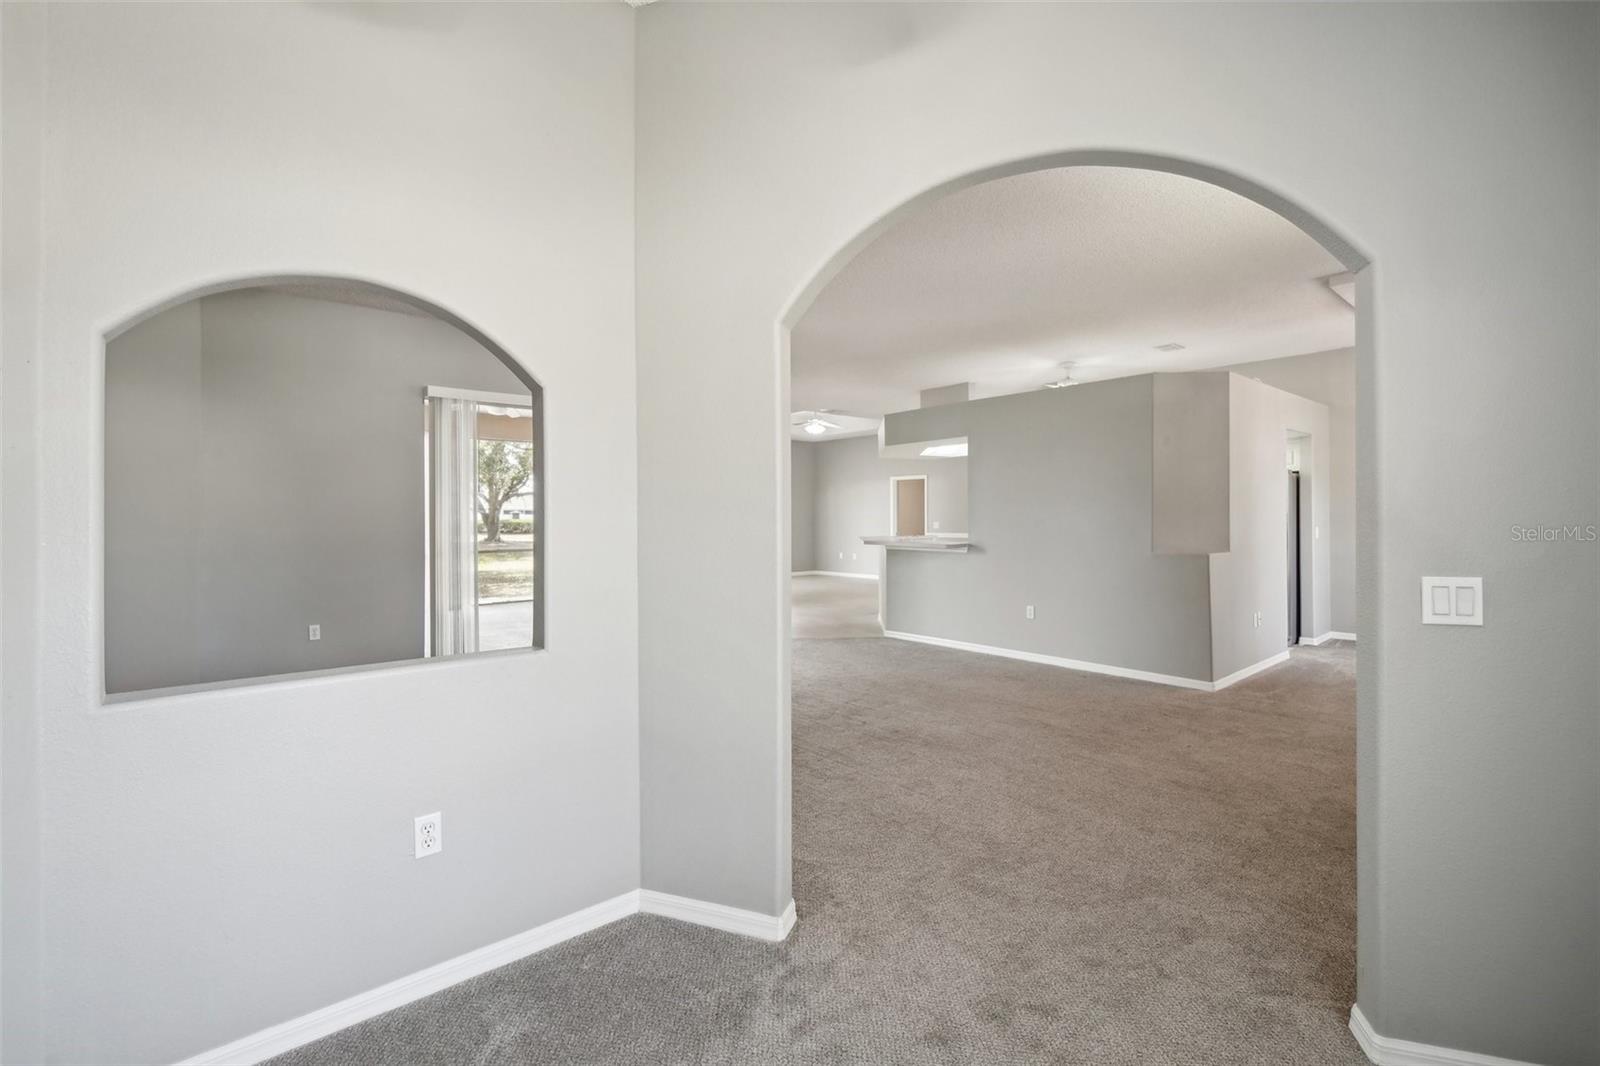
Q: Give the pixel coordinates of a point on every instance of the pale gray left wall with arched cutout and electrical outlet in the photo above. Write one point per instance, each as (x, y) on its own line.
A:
(217, 864)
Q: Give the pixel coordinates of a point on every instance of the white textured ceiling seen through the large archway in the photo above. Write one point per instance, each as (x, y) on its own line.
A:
(1004, 283)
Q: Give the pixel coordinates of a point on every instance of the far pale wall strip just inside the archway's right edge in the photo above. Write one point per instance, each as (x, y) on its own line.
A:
(1329, 379)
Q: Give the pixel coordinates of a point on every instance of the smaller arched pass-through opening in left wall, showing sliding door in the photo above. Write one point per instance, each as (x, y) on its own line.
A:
(306, 476)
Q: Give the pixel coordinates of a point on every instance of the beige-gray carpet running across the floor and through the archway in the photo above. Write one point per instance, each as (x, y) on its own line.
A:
(996, 864)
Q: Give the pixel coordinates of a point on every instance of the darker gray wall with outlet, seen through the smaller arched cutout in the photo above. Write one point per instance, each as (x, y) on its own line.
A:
(263, 473)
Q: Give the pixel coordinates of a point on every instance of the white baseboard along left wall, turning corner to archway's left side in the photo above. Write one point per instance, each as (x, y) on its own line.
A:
(319, 1024)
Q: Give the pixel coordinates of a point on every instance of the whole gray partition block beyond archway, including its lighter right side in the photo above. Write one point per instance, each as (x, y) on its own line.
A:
(1060, 484)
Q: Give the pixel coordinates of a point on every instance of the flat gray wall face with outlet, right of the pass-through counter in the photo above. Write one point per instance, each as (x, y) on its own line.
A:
(1060, 510)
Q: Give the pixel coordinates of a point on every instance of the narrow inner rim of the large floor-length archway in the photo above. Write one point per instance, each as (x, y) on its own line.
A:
(1337, 244)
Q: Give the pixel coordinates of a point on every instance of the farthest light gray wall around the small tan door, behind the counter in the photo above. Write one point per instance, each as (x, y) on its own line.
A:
(850, 499)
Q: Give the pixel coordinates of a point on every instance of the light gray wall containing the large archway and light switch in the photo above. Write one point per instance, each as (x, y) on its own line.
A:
(772, 137)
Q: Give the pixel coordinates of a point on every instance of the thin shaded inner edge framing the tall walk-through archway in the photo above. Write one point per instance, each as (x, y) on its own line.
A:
(1329, 238)
